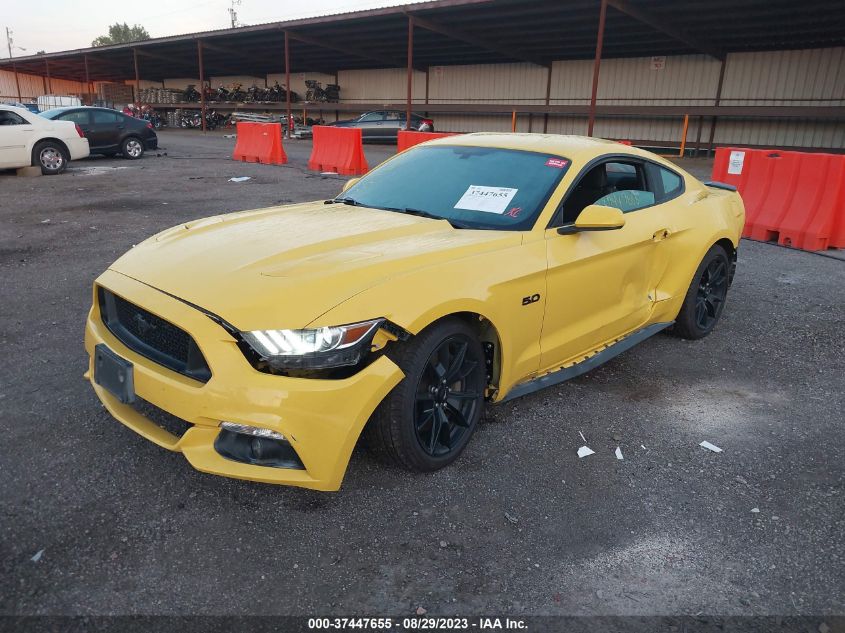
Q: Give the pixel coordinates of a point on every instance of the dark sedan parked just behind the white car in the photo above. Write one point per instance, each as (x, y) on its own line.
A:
(109, 131)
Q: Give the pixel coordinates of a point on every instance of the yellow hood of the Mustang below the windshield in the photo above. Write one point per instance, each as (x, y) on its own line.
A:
(283, 267)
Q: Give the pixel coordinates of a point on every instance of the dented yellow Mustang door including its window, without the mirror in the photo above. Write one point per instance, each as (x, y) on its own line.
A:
(601, 284)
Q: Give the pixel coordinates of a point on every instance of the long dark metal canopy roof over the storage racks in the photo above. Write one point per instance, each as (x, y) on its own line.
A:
(449, 32)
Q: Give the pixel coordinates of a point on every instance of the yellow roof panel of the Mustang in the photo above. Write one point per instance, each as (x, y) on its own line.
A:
(579, 149)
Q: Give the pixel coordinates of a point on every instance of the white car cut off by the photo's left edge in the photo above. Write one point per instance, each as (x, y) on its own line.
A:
(28, 139)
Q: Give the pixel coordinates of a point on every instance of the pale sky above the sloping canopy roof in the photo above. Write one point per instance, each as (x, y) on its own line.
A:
(58, 25)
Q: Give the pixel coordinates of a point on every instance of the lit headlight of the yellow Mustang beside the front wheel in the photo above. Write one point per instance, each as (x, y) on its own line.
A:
(318, 348)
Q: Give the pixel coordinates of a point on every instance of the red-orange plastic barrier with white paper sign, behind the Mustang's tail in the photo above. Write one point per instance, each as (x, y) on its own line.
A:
(794, 198)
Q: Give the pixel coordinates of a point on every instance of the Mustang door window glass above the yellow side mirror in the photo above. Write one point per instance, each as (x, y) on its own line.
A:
(617, 183)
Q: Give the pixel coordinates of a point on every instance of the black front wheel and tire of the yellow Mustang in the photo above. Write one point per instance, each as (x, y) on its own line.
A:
(428, 419)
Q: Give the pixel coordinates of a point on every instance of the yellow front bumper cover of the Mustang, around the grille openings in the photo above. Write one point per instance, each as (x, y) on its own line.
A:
(322, 419)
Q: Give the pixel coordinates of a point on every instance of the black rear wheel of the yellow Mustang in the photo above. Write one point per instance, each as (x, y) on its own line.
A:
(706, 296)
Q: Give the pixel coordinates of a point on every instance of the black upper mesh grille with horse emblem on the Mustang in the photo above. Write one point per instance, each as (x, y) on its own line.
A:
(152, 337)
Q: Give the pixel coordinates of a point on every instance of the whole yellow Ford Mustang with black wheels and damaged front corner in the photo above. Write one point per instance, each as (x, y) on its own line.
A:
(465, 271)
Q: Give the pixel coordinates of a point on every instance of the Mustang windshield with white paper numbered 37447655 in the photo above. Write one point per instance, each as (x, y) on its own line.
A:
(472, 187)
